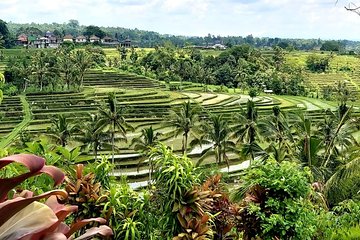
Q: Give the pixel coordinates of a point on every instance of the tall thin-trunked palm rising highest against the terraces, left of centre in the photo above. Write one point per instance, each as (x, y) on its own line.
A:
(111, 117)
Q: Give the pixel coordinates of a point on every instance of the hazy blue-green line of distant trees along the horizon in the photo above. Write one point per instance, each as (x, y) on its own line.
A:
(143, 38)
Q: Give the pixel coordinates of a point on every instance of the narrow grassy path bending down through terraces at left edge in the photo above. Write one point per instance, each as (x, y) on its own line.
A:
(26, 120)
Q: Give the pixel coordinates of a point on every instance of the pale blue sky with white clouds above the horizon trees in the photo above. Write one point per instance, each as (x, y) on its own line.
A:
(264, 18)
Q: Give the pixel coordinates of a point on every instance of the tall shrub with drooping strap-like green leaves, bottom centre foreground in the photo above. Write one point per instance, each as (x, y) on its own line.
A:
(173, 177)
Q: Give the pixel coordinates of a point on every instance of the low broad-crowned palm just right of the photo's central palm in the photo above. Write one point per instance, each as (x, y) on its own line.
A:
(216, 131)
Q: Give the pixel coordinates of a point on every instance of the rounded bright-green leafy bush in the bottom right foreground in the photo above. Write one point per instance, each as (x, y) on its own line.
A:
(275, 202)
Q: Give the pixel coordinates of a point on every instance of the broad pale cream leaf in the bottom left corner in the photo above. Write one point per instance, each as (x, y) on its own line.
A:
(32, 219)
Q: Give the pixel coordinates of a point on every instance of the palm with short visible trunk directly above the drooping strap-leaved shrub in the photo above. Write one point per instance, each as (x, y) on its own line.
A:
(183, 121)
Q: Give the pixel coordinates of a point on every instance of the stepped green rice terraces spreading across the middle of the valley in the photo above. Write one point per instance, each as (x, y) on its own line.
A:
(148, 104)
